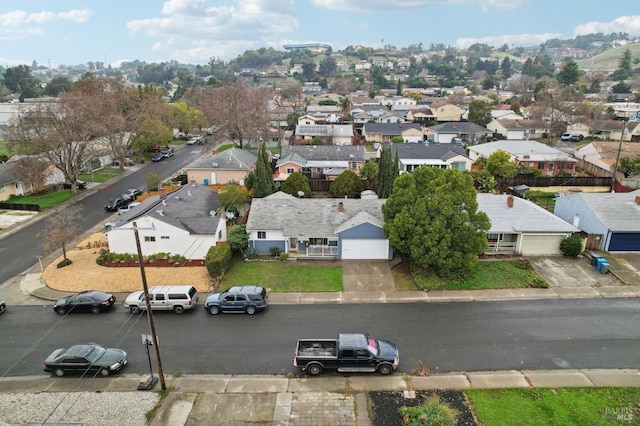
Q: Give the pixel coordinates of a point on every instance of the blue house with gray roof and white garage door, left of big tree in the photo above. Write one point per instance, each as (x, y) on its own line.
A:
(321, 228)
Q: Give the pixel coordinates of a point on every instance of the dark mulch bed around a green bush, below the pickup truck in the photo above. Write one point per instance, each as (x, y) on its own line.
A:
(385, 406)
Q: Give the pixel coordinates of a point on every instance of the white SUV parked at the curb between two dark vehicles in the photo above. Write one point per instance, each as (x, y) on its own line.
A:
(165, 298)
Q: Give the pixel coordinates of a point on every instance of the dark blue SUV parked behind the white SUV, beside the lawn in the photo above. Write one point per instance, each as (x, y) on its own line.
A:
(240, 299)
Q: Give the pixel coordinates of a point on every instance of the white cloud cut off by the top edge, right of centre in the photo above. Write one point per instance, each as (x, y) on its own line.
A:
(385, 5)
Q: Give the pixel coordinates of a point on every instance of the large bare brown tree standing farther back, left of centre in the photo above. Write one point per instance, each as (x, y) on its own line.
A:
(240, 111)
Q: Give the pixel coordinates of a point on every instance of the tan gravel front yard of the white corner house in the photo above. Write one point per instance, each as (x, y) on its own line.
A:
(84, 273)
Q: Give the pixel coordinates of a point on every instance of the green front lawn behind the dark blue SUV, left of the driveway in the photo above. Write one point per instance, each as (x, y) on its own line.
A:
(284, 277)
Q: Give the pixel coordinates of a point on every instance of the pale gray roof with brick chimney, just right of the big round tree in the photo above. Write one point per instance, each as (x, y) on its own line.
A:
(524, 216)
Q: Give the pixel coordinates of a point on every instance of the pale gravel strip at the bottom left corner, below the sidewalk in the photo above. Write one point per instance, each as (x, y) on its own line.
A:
(90, 408)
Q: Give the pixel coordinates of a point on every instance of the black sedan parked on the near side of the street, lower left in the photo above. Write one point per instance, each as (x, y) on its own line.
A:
(89, 358)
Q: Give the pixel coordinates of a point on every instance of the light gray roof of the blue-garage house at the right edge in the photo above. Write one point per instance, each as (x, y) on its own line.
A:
(617, 211)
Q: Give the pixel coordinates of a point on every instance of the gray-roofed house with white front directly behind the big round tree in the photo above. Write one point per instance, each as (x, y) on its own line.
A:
(443, 156)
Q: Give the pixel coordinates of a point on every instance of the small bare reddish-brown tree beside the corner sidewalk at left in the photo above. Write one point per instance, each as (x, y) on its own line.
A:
(61, 229)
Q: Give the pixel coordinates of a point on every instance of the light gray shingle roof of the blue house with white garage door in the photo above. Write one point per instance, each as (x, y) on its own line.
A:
(312, 217)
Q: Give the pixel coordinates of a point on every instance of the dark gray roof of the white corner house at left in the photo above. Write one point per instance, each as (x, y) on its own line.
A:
(192, 207)
